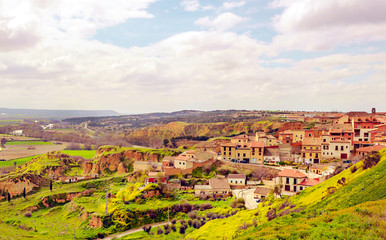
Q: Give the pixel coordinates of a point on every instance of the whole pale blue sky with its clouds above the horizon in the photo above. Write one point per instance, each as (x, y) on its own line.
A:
(138, 56)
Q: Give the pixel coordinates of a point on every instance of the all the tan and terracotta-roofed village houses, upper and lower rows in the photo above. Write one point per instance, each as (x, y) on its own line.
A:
(339, 137)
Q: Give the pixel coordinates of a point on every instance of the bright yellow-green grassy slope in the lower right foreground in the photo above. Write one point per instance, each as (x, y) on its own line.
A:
(349, 205)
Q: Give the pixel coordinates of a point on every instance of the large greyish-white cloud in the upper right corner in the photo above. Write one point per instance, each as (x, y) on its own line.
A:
(323, 24)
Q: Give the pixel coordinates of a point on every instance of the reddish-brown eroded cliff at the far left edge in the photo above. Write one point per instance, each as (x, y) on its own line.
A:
(16, 185)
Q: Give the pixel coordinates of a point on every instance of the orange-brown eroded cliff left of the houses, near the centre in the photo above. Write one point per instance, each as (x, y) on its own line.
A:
(114, 159)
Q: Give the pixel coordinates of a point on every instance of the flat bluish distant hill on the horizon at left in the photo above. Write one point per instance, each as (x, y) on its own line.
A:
(43, 113)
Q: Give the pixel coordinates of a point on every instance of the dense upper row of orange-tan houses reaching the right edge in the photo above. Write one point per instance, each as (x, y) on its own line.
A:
(354, 133)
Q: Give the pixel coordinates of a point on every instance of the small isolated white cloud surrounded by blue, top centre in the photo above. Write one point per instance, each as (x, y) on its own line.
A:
(222, 22)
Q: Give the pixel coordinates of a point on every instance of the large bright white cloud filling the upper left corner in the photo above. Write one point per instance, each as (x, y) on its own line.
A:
(25, 23)
